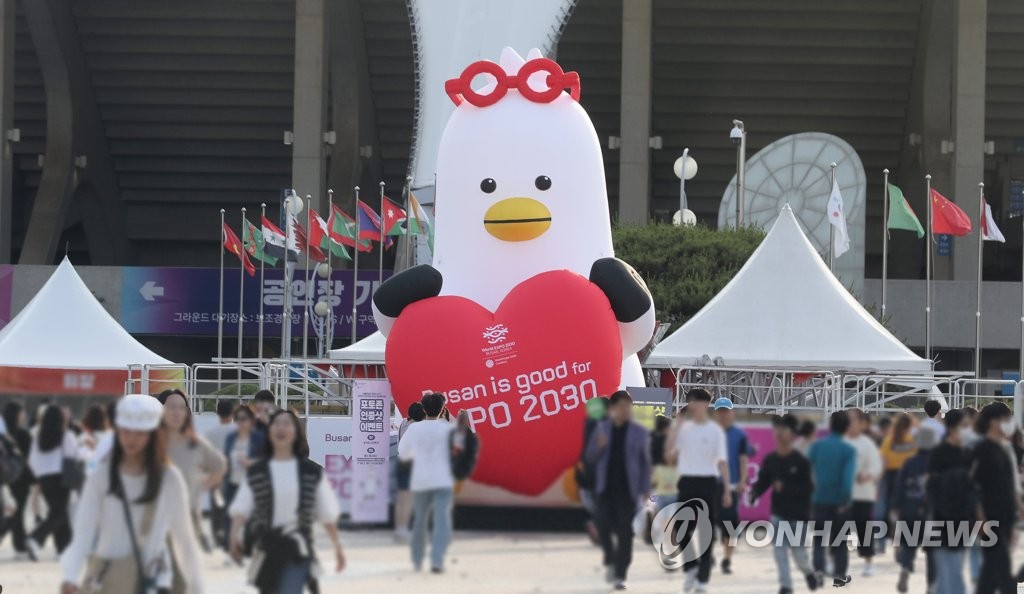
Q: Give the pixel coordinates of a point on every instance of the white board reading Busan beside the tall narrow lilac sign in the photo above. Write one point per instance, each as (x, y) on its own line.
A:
(331, 447)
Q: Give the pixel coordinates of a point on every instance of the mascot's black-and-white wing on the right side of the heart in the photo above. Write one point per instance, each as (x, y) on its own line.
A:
(630, 300)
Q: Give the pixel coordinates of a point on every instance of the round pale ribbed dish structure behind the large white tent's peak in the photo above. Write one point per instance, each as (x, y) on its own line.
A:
(796, 171)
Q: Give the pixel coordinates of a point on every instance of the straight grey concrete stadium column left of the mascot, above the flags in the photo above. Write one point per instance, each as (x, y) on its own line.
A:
(310, 104)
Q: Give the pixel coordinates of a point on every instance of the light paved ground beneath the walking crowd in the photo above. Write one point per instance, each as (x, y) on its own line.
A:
(485, 563)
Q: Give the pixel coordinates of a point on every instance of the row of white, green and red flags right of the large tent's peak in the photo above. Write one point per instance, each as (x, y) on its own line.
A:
(948, 219)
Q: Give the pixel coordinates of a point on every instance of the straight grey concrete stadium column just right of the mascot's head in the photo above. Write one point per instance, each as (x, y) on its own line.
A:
(634, 153)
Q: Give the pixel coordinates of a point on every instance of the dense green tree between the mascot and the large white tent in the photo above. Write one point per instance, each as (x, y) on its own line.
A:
(686, 267)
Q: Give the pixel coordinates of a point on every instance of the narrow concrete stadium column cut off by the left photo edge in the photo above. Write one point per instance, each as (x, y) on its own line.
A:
(7, 122)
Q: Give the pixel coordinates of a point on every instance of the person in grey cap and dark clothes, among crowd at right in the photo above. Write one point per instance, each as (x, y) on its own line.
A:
(909, 503)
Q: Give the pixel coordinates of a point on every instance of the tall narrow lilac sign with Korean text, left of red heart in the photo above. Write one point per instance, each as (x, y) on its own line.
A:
(371, 450)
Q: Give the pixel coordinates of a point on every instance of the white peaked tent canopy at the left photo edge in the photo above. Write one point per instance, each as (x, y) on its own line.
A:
(65, 327)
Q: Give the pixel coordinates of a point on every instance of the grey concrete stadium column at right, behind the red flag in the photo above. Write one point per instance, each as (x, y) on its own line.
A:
(968, 167)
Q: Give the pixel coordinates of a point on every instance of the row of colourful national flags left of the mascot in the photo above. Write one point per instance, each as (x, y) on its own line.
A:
(268, 243)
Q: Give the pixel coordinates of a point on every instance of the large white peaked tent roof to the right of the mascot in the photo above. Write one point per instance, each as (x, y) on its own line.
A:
(785, 310)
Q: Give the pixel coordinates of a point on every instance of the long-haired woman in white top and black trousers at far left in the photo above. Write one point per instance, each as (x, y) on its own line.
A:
(53, 446)
